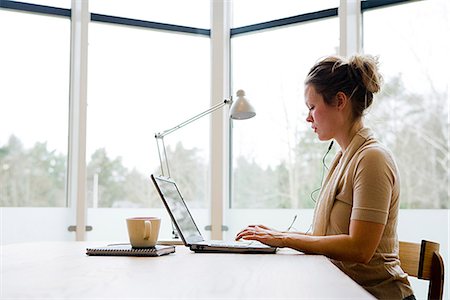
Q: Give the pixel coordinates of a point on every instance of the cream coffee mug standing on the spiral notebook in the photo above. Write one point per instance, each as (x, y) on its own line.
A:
(143, 231)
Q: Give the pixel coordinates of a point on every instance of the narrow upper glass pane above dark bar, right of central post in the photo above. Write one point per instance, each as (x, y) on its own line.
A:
(248, 12)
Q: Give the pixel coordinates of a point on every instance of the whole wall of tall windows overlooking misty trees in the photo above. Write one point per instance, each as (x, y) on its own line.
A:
(137, 75)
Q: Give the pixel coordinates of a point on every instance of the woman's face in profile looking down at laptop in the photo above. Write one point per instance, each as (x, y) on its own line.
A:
(323, 117)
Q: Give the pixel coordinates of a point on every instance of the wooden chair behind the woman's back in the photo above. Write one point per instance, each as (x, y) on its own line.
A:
(422, 260)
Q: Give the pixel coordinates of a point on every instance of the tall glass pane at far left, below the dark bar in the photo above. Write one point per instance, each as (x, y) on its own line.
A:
(34, 102)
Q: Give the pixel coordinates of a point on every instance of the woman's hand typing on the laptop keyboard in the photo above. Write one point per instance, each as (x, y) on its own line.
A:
(262, 234)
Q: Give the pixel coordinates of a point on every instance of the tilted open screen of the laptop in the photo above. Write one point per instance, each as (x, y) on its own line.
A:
(178, 210)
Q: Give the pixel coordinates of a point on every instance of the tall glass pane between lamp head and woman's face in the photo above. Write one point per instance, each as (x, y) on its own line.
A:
(276, 160)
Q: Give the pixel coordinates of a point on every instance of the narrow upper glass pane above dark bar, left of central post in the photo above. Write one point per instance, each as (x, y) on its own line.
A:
(192, 13)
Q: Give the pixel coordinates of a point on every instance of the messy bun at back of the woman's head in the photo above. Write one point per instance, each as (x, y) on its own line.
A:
(366, 67)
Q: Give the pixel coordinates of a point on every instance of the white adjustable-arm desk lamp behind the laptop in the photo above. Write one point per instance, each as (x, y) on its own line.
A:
(240, 109)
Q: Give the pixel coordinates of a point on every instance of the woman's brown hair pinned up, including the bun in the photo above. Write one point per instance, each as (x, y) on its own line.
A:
(357, 77)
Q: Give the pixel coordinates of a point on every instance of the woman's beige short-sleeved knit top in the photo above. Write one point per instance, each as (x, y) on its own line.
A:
(363, 184)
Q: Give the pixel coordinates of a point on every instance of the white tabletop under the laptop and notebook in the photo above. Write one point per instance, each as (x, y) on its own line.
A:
(61, 270)
